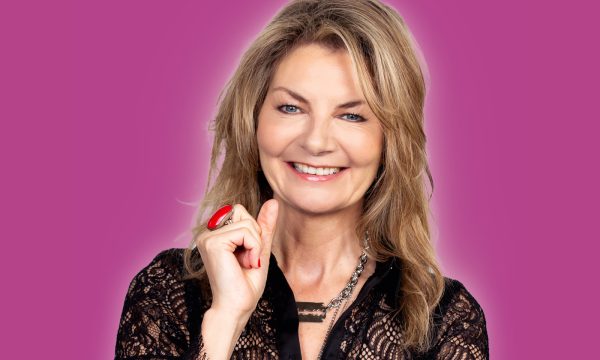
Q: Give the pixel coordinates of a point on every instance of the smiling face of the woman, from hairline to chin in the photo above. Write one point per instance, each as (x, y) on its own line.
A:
(319, 142)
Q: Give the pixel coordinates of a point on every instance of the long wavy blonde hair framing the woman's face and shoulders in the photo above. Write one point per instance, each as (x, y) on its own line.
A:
(396, 206)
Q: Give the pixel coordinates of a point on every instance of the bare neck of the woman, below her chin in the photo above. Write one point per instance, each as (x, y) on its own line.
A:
(317, 248)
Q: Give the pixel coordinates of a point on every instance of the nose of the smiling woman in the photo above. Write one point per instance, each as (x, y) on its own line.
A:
(317, 138)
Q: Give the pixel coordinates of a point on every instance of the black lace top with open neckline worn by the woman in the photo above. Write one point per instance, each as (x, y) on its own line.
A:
(162, 316)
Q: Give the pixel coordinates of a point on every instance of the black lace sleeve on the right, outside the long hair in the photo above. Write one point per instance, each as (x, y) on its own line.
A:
(462, 333)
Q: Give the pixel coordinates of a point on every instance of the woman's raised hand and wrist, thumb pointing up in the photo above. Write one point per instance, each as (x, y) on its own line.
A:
(236, 259)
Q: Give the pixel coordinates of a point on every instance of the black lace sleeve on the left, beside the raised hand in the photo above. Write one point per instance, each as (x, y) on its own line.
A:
(154, 320)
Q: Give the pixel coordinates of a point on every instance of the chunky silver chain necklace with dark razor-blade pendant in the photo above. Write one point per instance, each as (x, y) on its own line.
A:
(316, 312)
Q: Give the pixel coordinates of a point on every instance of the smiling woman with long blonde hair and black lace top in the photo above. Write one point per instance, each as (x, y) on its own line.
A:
(326, 252)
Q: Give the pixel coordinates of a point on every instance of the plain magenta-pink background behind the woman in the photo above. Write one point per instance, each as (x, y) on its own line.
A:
(104, 151)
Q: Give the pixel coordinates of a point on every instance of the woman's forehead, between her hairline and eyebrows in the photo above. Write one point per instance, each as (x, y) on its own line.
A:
(314, 69)
